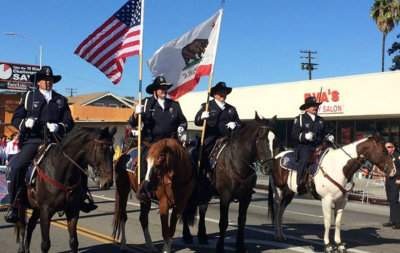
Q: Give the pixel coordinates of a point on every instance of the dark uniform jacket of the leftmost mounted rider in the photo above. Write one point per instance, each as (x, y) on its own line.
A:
(34, 105)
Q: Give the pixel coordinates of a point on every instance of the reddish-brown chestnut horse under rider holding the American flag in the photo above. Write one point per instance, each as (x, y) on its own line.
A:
(174, 179)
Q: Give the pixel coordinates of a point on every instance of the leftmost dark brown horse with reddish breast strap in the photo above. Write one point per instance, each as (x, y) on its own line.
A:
(60, 182)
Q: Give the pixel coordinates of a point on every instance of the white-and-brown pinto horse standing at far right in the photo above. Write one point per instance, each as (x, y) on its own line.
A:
(333, 182)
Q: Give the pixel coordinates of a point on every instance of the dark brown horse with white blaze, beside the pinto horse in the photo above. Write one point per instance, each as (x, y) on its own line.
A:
(235, 178)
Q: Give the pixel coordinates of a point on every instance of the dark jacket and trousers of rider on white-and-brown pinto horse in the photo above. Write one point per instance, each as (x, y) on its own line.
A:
(304, 148)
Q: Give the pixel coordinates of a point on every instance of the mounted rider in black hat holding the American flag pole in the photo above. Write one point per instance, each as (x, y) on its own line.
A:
(161, 118)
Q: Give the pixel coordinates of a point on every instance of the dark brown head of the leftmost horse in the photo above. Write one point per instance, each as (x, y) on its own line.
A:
(100, 157)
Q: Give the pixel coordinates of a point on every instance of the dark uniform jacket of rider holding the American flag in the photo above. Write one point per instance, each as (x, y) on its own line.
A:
(158, 122)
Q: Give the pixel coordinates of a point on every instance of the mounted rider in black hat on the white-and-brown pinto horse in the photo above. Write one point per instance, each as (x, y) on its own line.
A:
(308, 133)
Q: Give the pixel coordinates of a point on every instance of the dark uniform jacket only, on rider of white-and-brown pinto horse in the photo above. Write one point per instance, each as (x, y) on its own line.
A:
(302, 124)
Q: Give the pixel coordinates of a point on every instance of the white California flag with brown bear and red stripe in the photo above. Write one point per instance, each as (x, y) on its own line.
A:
(184, 60)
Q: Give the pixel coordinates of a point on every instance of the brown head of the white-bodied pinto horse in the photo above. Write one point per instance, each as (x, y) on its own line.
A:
(373, 149)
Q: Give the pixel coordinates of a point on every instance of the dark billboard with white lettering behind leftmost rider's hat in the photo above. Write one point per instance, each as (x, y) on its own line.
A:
(15, 76)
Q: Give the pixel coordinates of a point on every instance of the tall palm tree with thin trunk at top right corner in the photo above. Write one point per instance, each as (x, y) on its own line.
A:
(386, 14)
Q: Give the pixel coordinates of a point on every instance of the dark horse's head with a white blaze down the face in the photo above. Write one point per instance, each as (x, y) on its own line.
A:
(266, 142)
